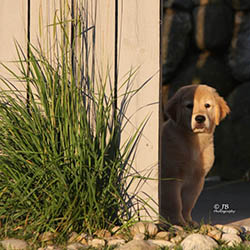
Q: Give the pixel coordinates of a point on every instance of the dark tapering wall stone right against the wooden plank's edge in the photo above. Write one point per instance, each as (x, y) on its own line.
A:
(176, 30)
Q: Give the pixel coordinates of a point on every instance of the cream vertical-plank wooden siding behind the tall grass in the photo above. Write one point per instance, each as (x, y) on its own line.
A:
(137, 23)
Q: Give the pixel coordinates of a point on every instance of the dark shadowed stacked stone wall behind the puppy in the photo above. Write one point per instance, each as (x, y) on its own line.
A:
(208, 42)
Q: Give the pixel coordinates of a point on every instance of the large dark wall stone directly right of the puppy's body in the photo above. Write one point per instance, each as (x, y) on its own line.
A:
(232, 164)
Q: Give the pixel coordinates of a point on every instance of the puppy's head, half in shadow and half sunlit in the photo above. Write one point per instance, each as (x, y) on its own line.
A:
(197, 108)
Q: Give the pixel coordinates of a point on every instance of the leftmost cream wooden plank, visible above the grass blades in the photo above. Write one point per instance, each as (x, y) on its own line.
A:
(13, 27)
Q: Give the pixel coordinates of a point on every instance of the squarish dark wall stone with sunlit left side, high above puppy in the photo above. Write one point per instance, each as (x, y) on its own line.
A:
(213, 26)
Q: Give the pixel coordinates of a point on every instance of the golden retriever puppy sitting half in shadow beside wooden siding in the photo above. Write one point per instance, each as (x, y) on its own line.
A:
(187, 149)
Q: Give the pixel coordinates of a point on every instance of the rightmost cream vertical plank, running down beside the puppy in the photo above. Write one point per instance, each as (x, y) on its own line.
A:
(139, 48)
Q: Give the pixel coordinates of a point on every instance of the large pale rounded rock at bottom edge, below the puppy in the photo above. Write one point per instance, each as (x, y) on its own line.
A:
(198, 242)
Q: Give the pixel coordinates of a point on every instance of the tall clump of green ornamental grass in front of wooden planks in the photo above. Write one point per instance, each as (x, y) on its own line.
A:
(62, 165)
